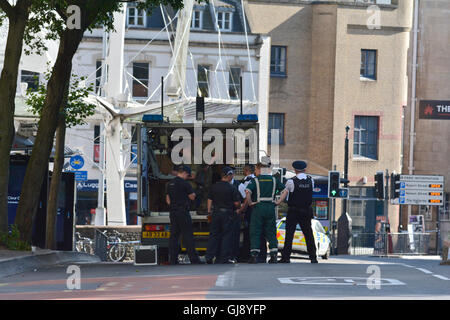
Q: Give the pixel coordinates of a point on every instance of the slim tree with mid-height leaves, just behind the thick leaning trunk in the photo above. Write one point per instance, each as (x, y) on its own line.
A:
(73, 111)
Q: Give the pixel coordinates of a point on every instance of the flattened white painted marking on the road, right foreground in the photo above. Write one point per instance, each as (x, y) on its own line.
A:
(337, 281)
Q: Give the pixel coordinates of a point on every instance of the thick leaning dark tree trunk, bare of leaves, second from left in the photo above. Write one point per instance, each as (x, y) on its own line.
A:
(35, 173)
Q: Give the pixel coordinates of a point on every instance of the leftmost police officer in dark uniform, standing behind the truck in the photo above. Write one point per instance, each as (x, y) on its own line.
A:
(179, 195)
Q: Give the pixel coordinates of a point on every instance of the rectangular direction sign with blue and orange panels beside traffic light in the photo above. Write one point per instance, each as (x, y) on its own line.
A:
(421, 190)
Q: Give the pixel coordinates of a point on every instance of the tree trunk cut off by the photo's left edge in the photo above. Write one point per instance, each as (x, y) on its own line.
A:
(8, 87)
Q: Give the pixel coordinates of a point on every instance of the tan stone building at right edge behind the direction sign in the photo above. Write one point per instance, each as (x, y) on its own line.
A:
(431, 148)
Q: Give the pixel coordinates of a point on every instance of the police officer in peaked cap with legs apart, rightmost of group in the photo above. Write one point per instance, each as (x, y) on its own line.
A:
(300, 212)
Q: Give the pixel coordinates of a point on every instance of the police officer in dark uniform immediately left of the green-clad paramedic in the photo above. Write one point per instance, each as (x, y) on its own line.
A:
(223, 200)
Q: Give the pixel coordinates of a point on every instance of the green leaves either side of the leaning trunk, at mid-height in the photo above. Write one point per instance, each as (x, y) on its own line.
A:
(76, 109)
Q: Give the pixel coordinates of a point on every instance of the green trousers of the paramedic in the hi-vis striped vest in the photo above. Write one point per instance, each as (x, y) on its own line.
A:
(263, 221)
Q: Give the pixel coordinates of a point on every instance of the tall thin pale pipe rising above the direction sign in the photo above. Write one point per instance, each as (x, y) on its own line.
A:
(412, 132)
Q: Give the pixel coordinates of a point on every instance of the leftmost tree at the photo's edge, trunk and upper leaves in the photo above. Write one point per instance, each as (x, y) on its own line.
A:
(22, 28)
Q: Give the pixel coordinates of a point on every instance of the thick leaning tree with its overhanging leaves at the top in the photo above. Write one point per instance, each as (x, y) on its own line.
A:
(92, 14)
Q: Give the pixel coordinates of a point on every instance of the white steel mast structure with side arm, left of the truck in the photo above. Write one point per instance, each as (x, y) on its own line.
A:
(116, 102)
